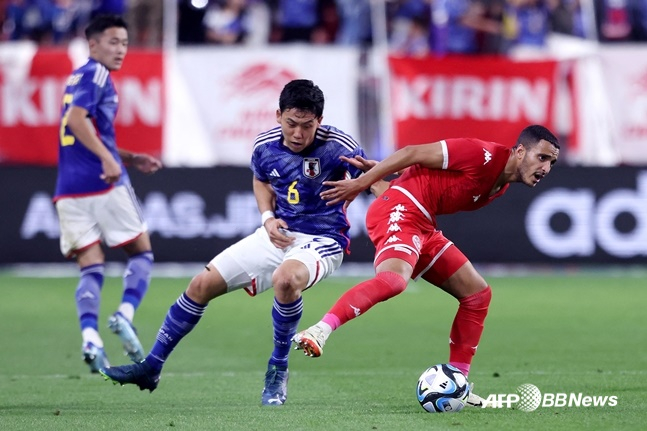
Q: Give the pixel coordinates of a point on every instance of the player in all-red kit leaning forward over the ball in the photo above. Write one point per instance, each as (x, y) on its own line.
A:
(439, 178)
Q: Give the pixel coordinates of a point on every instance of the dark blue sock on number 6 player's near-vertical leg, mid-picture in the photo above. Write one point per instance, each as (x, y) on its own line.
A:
(285, 318)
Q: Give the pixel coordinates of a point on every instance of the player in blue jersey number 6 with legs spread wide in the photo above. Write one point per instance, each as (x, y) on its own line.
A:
(301, 241)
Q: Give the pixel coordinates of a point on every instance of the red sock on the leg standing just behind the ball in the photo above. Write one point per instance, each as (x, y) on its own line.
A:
(467, 328)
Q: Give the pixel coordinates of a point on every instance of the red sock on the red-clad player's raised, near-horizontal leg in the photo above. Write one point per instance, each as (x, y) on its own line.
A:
(362, 297)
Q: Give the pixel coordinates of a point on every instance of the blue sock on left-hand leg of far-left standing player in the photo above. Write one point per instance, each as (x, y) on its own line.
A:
(88, 296)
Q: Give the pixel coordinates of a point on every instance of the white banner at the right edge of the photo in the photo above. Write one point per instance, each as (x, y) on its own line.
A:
(625, 72)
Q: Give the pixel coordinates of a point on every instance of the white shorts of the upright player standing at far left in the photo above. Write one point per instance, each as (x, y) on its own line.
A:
(114, 217)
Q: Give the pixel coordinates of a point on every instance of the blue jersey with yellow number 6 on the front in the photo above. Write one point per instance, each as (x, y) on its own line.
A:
(296, 179)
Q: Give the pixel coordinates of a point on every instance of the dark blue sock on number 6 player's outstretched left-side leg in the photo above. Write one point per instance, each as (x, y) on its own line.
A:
(180, 320)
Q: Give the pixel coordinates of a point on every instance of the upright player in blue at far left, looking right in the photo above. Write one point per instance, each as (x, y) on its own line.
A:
(94, 198)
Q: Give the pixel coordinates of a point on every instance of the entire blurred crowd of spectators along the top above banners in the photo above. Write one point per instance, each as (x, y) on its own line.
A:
(412, 27)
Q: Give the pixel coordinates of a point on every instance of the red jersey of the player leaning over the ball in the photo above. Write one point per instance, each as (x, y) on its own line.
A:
(470, 169)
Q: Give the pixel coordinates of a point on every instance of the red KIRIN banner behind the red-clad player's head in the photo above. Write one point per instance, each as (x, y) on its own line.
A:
(491, 98)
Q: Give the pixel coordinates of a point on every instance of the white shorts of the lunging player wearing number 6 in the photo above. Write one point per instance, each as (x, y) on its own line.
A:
(251, 262)
